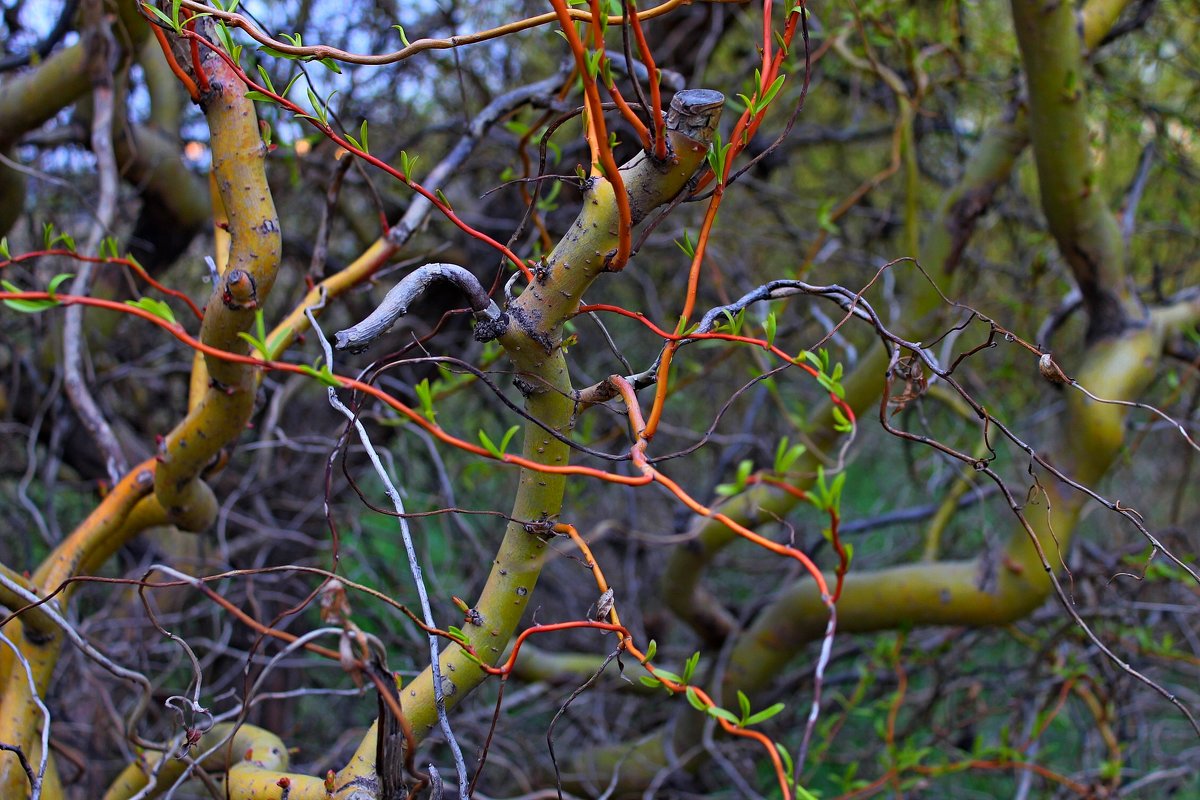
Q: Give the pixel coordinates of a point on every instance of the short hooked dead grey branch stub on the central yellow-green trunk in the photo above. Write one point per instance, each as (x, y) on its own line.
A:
(491, 322)
